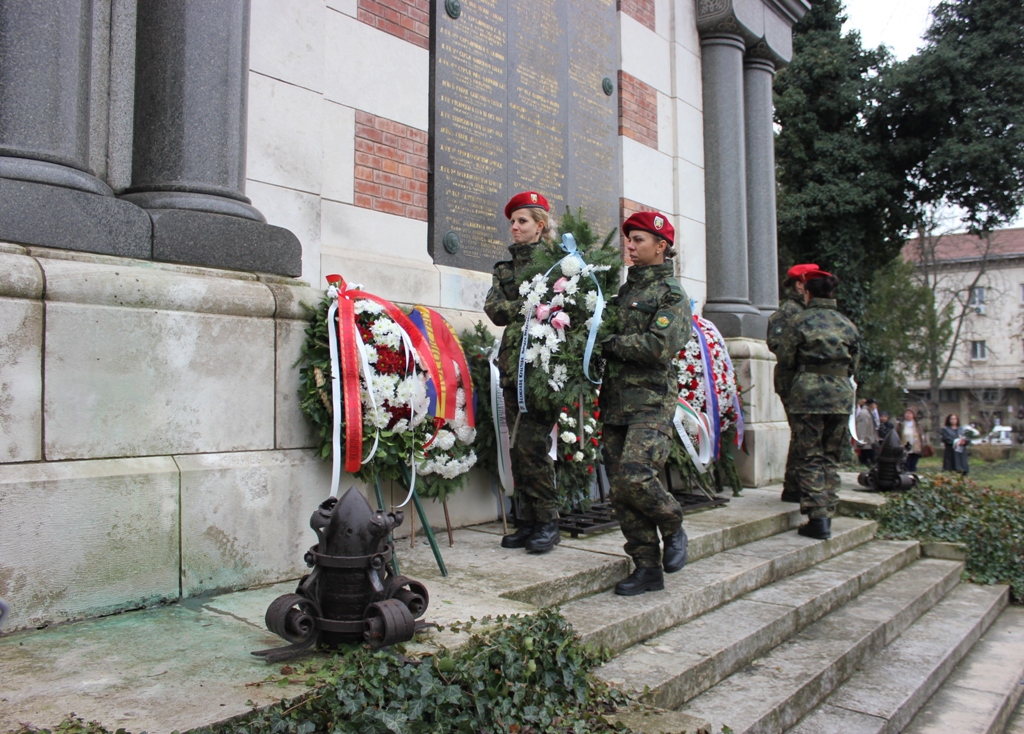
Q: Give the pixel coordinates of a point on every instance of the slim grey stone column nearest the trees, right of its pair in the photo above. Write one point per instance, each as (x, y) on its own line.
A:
(762, 246)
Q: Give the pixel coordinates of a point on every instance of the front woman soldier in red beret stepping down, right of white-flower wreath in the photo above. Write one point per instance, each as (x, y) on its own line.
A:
(638, 401)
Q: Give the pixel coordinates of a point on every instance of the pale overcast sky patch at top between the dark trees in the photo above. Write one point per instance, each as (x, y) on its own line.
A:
(898, 24)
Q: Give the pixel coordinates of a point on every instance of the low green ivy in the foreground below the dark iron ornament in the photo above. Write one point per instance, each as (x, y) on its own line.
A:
(524, 675)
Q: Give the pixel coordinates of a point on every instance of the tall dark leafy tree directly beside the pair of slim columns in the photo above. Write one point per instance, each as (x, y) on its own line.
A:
(836, 192)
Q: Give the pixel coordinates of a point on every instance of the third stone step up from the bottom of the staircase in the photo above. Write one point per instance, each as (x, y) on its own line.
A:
(775, 693)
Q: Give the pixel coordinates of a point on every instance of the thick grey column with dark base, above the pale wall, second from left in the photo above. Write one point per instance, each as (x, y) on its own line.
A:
(189, 159)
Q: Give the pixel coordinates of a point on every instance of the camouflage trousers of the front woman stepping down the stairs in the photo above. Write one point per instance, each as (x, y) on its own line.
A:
(634, 459)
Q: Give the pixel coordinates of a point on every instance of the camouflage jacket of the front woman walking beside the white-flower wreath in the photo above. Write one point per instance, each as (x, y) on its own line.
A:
(652, 324)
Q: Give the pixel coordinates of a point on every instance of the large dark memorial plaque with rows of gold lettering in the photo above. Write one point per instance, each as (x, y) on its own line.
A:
(518, 104)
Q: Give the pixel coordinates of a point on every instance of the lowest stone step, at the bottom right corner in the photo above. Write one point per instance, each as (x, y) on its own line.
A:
(980, 696)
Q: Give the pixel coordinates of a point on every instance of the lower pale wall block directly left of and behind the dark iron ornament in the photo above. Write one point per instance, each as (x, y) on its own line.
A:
(245, 517)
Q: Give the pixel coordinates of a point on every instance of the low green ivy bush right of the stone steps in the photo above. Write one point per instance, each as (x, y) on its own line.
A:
(990, 524)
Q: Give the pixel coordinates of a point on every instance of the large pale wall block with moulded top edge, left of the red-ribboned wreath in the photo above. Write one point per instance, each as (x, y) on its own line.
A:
(149, 363)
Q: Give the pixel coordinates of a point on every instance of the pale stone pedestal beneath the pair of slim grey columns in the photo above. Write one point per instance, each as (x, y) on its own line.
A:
(767, 430)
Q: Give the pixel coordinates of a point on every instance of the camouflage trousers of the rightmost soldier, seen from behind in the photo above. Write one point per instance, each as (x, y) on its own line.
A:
(818, 444)
